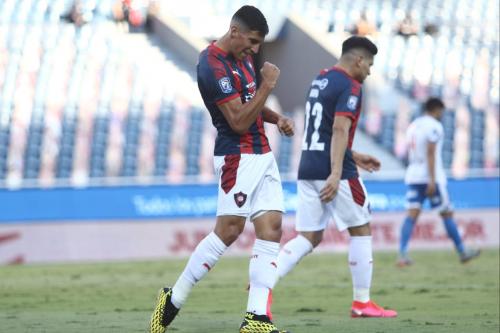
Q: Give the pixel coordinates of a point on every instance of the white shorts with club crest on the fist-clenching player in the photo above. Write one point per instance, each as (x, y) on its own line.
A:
(249, 184)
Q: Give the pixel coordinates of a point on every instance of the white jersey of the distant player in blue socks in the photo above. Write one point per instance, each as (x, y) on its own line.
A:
(423, 130)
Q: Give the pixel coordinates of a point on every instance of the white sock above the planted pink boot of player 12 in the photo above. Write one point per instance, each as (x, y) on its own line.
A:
(361, 264)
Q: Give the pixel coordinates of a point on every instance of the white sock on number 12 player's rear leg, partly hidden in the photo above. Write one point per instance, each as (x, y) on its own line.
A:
(291, 254)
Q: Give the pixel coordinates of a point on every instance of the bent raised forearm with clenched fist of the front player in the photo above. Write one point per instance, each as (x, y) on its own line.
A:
(241, 116)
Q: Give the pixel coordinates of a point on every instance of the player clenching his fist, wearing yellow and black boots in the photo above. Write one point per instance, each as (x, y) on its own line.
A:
(249, 182)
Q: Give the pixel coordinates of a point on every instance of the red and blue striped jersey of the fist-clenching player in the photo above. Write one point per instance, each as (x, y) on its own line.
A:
(221, 78)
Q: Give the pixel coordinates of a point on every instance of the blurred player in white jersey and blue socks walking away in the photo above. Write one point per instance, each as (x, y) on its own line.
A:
(426, 178)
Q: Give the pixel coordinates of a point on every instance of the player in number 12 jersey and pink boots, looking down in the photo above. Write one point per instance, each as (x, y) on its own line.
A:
(328, 182)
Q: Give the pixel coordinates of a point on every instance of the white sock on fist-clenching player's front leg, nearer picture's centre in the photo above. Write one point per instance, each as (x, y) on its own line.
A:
(263, 276)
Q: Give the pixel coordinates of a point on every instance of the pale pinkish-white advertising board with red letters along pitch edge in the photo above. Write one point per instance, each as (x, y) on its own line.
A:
(147, 239)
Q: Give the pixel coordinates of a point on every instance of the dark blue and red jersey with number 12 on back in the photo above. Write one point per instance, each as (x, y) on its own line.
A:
(332, 93)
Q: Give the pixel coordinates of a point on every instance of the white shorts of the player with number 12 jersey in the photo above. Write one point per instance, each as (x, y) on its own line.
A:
(349, 208)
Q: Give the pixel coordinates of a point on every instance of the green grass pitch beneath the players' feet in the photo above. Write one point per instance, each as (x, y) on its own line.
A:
(436, 295)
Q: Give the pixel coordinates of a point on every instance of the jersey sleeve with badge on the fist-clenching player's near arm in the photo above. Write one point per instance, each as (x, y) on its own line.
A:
(220, 82)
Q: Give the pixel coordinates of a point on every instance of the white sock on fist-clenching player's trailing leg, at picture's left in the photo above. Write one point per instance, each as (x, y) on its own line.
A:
(203, 258)
